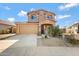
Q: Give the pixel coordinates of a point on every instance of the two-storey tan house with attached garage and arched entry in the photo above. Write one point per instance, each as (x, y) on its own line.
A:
(38, 22)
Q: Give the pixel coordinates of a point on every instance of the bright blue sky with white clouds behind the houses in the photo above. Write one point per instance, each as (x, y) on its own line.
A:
(66, 13)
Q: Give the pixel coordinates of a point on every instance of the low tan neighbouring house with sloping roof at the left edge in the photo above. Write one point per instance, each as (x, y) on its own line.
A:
(6, 27)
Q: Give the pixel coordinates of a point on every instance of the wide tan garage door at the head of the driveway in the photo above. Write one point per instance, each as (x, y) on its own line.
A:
(28, 28)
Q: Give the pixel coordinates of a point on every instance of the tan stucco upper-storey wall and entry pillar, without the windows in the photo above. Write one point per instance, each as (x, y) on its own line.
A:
(42, 18)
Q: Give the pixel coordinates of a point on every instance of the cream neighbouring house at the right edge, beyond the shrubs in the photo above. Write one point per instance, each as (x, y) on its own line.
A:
(73, 29)
